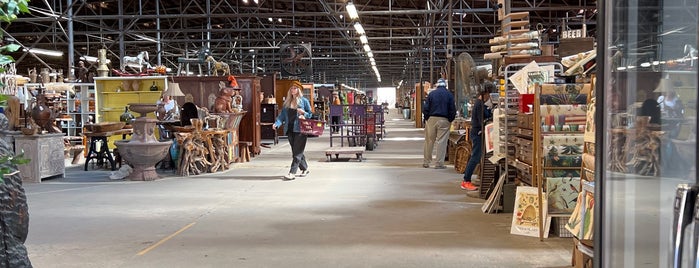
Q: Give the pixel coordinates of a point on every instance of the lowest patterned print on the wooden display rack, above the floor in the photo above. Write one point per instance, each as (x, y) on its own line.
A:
(562, 194)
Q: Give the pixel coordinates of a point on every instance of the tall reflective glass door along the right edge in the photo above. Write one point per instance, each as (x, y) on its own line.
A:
(646, 146)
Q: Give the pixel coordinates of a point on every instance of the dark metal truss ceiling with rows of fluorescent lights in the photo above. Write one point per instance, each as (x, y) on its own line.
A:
(405, 36)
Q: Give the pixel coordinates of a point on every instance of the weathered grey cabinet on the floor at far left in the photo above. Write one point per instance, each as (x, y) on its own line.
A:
(46, 154)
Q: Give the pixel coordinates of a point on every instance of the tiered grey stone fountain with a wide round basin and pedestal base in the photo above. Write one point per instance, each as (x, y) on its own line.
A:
(143, 151)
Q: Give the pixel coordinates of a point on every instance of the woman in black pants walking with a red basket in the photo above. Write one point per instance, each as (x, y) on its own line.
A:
(295, 107)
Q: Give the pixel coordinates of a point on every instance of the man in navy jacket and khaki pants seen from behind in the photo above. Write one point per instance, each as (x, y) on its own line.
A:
(439, 111)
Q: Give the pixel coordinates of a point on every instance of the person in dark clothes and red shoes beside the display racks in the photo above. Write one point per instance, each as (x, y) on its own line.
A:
(479, 114)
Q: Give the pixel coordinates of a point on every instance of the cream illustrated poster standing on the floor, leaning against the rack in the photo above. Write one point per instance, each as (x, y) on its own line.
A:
(525, 217)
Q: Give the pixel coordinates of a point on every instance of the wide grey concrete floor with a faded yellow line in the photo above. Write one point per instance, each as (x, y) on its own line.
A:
(386, 211)
